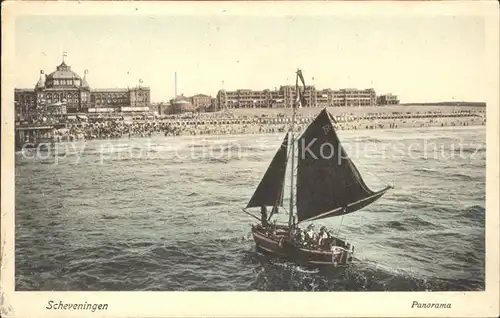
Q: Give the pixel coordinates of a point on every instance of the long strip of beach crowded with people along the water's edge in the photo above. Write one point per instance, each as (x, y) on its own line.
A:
(228, 124)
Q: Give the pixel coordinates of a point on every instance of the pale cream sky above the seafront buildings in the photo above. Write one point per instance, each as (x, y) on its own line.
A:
(419, 58)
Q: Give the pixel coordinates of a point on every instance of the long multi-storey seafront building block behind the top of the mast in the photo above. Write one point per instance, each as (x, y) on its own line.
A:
(285, 97)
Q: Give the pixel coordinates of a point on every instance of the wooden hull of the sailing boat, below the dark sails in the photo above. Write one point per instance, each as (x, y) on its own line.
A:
(310, 257)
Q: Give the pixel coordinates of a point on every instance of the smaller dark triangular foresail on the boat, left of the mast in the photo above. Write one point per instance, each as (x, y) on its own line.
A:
(270, 189)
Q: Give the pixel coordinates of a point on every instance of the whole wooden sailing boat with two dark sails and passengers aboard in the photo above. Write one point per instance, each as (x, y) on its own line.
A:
(328, 184)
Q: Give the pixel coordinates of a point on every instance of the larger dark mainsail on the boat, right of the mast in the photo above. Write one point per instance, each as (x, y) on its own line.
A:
(328, 182)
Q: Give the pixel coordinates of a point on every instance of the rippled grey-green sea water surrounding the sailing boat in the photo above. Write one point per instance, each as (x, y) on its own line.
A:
(164, 213)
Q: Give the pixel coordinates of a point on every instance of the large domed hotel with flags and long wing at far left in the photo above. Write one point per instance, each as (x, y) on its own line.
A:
(64, 91)
